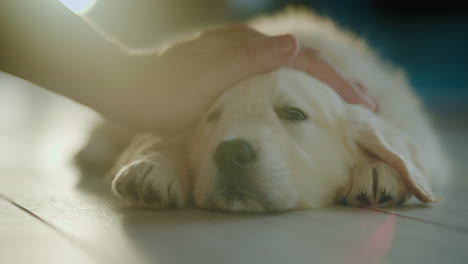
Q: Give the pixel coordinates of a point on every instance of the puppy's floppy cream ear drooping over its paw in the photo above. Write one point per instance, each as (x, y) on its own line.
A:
(380, 139)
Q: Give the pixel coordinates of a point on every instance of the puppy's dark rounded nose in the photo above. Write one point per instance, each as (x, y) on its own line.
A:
(235, 152)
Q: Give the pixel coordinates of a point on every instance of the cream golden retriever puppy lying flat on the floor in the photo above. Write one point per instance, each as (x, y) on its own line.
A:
(285, 140)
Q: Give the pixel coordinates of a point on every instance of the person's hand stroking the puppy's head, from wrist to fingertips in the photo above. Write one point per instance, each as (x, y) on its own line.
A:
(180, 84)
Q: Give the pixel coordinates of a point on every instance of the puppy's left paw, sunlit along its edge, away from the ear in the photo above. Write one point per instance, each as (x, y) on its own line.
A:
(149, 183)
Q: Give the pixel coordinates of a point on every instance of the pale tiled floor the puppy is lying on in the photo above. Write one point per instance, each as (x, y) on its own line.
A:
(50, 213)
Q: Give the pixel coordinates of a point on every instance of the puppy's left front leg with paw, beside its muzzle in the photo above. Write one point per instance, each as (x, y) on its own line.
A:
(152, 174)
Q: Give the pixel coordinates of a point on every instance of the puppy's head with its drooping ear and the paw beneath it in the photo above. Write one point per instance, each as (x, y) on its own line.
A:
(283, 140)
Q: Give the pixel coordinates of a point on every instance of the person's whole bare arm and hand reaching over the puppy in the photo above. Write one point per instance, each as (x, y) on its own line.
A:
(46, 44)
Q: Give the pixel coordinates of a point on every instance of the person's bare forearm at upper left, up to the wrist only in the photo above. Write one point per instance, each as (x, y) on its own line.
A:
(44, 43)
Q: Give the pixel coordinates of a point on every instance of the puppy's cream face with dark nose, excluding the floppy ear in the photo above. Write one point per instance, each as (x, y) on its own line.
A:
(276, 141)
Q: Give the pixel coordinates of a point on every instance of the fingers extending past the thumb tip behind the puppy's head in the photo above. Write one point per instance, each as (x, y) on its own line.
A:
(312, 62)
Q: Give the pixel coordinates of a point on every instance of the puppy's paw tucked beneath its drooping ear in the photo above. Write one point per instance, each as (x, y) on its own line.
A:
(376, 184)
